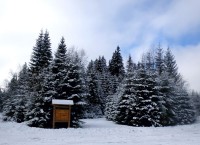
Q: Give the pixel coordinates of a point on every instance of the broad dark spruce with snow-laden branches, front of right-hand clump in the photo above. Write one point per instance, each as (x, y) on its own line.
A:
(139, 103)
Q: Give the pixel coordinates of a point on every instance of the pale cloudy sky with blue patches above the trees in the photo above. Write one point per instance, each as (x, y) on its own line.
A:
(98, 26)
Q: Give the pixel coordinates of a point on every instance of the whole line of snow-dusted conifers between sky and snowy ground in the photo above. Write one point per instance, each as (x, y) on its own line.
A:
(149, 93)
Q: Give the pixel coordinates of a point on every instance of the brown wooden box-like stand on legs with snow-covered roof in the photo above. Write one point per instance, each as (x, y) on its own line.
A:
(61, 111)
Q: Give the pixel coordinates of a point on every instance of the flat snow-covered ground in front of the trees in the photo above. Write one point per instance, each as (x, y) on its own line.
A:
(99, 132)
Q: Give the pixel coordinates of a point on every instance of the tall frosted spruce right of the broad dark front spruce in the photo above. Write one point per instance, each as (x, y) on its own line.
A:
(175, 98)
